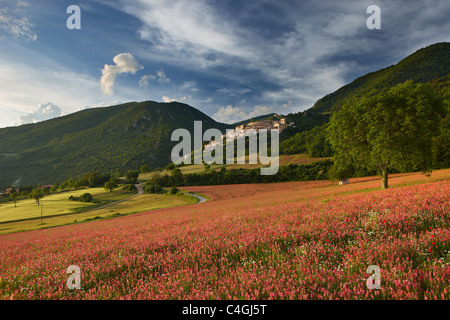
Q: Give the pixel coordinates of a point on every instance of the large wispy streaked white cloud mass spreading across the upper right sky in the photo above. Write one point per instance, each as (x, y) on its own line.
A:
(318, 47)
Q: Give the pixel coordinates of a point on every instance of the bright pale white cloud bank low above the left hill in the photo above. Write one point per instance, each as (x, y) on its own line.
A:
(23, 85)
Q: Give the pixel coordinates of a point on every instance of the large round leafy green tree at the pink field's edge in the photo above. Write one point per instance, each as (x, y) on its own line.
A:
(388, 129)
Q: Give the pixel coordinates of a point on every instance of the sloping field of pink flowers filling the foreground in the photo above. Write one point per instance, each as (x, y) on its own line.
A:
(313, 243)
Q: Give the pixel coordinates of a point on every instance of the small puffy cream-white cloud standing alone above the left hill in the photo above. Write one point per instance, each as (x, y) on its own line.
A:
(124, 63)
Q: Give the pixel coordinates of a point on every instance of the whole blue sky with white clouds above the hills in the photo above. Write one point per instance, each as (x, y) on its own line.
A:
(230, 59)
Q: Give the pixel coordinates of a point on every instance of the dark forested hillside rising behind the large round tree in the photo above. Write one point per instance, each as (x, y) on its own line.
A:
(428, 65)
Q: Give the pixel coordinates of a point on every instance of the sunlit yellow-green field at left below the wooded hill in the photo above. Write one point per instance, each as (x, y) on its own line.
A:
(58, 210)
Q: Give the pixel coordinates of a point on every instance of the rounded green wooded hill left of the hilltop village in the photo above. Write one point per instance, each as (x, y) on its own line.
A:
(125, 136)
